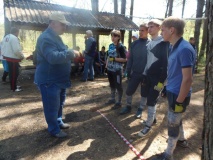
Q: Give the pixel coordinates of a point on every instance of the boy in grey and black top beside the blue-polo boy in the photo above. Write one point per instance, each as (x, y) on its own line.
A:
(155, 74)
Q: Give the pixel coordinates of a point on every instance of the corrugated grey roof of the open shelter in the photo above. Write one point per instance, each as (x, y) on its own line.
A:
(35, 12)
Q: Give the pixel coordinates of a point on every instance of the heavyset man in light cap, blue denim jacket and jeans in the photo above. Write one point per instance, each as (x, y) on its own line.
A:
(52, 74)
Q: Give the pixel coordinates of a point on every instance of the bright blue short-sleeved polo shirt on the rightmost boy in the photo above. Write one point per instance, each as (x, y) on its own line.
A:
(181, 56)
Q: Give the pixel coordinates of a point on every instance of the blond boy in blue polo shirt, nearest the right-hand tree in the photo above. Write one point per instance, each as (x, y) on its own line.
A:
(181, 64)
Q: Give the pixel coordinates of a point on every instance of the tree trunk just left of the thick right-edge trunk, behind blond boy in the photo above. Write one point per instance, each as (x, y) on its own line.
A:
(198, 22)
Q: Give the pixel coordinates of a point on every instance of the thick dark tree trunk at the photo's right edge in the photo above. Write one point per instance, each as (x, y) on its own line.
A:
(207, 150)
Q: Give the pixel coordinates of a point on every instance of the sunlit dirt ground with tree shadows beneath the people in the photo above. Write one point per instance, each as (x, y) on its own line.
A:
(23, 132)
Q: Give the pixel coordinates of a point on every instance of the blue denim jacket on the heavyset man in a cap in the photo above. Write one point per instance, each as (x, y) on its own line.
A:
(53, 60)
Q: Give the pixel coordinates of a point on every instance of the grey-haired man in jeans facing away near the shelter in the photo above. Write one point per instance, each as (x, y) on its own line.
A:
(89, 57)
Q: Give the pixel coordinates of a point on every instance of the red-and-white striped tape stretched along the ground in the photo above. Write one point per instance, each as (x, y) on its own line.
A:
(123, 138)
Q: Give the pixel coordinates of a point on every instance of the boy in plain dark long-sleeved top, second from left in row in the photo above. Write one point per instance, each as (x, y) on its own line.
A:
(135, 66)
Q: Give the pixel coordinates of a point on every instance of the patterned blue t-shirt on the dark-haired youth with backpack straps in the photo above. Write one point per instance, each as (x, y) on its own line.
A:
(115, 66)
